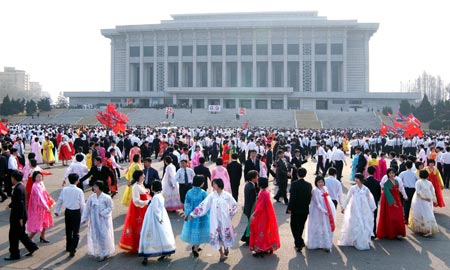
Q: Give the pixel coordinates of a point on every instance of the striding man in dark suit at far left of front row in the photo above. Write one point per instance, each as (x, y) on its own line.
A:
(18, 220)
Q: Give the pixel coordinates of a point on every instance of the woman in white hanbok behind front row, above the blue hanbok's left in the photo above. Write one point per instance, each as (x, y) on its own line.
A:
(170, 187)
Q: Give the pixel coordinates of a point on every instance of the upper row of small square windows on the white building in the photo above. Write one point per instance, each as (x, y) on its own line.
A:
(246, 49)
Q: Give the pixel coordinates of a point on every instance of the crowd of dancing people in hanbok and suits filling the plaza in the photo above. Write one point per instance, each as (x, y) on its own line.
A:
(397, 181)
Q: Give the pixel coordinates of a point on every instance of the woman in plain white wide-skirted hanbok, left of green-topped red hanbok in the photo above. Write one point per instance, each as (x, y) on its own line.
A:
(357, 225)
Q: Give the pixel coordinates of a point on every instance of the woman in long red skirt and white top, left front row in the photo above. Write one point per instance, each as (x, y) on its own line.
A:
(135, 216)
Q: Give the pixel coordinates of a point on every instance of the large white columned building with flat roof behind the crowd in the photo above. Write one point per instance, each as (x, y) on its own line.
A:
(268, 60)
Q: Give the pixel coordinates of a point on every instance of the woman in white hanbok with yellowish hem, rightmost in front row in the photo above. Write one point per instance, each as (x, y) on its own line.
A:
(421, 217)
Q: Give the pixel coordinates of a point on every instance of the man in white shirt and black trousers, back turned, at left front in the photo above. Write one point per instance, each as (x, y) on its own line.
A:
(73, 199)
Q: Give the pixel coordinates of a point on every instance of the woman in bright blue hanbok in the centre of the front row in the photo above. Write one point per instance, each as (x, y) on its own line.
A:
(195, 231)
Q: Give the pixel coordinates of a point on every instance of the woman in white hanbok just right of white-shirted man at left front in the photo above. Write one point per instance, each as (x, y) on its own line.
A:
(97, 213)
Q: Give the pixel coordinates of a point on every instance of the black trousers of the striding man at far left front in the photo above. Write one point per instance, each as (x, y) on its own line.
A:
(16, 234)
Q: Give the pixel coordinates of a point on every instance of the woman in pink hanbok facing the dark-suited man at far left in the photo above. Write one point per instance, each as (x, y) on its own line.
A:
(39, 208)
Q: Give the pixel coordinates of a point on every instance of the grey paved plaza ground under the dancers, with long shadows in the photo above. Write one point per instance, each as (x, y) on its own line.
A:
(414, 252)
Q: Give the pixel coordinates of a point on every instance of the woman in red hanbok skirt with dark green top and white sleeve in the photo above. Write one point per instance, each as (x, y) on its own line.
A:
(391, 223)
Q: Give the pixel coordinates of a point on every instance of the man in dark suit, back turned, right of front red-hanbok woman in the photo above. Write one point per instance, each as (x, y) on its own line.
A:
(298, 207)
